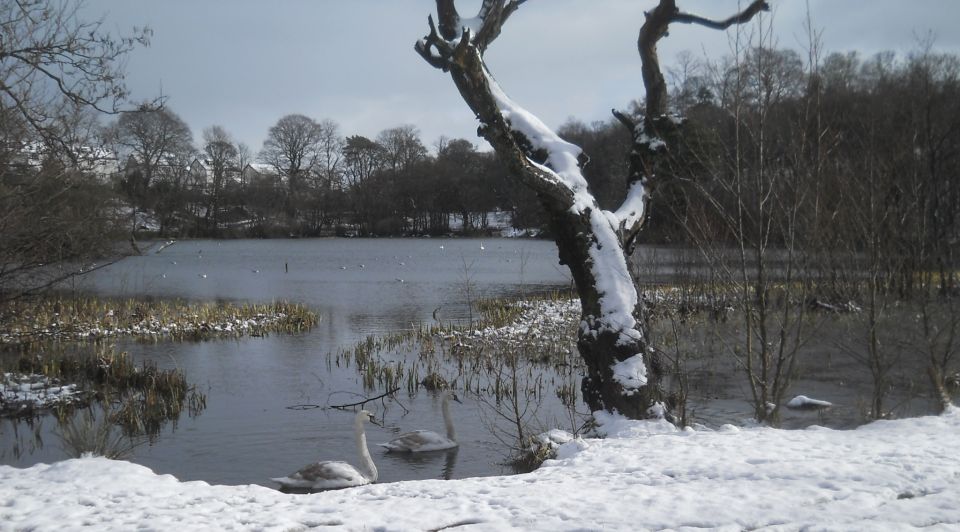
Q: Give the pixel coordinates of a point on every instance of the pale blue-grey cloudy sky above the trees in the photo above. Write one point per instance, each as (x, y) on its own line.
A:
(243, 64)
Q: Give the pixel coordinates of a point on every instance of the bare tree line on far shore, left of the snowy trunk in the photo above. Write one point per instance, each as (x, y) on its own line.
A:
(307, 180)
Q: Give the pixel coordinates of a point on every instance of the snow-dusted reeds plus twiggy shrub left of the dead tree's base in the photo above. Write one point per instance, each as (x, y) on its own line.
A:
(516, 357)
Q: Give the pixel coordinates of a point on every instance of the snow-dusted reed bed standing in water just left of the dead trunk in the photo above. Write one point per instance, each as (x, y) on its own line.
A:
(535, 337)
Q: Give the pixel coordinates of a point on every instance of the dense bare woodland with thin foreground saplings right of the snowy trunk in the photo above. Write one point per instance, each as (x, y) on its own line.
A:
(812, 185)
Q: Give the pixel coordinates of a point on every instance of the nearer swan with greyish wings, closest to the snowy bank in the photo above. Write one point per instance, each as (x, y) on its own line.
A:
(336, 475)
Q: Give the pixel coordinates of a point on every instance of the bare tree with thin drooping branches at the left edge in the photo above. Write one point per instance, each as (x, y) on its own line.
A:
(55, 67)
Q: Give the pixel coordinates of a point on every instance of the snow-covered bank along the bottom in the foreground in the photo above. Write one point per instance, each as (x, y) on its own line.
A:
(888, 475)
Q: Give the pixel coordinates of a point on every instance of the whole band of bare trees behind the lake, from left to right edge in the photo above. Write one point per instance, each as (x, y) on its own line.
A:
(852, 157)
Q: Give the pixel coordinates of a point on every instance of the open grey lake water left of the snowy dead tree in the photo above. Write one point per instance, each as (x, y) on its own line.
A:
(260, 421)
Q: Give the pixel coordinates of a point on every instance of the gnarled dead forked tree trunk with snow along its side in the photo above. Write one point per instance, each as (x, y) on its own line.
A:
(623, 374)
